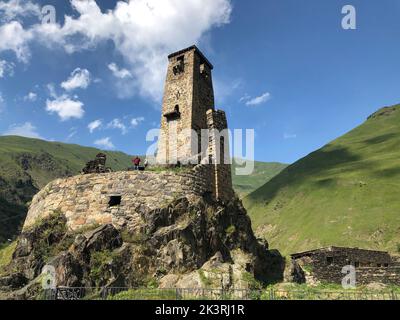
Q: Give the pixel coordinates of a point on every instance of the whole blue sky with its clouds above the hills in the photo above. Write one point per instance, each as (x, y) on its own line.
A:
(286, 68)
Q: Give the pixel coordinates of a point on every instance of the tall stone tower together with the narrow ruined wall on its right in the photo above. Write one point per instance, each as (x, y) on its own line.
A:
(188, 109)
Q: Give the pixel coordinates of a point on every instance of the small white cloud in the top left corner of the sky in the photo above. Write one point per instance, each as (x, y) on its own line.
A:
(17, 8)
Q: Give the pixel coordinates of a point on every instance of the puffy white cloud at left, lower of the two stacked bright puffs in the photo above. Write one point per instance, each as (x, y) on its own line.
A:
(65, 107)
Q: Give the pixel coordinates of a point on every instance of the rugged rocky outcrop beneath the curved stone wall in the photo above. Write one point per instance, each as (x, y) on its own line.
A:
(193, 243)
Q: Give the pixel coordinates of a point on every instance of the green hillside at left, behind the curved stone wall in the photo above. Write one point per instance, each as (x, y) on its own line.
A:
(27, 165)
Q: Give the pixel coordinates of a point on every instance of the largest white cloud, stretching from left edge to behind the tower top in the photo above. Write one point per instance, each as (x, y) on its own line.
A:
(144, 32)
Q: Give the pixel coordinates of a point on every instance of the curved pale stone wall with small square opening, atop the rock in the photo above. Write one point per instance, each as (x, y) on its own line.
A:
(87, 200)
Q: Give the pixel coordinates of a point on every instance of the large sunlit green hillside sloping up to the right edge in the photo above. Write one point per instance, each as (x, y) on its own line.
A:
(345, 194)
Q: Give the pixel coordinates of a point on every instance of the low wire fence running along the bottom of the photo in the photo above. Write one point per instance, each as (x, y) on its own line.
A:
(63, 293)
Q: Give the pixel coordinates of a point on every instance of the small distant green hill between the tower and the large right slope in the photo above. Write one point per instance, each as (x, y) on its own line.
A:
(263, 172)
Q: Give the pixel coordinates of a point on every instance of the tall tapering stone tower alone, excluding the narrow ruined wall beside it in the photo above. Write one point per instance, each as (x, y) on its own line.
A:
(188, 95)
